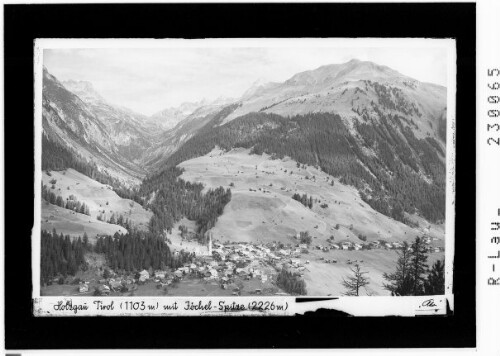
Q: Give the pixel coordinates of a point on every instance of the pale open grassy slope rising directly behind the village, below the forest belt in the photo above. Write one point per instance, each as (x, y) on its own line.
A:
(262, 208)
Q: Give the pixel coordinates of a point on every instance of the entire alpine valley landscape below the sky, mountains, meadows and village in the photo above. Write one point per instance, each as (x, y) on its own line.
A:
(290, 188)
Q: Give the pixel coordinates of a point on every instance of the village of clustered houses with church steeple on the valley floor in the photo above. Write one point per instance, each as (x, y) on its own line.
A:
(227, 268)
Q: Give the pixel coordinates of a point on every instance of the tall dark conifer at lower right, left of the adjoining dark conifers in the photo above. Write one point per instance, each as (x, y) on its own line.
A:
(400, 282)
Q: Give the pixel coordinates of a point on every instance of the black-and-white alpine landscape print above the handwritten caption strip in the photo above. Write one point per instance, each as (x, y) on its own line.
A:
(213, 168)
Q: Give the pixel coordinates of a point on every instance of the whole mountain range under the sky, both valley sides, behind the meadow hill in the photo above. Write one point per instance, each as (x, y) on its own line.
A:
(376, 129)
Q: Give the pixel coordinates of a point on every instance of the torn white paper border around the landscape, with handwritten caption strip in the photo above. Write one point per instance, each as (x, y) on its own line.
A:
(359, 306)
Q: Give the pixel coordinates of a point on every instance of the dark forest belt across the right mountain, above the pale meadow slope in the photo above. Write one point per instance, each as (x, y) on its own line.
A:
(402, 174)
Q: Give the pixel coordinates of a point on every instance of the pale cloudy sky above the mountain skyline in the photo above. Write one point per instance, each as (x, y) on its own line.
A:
(149, 80)
